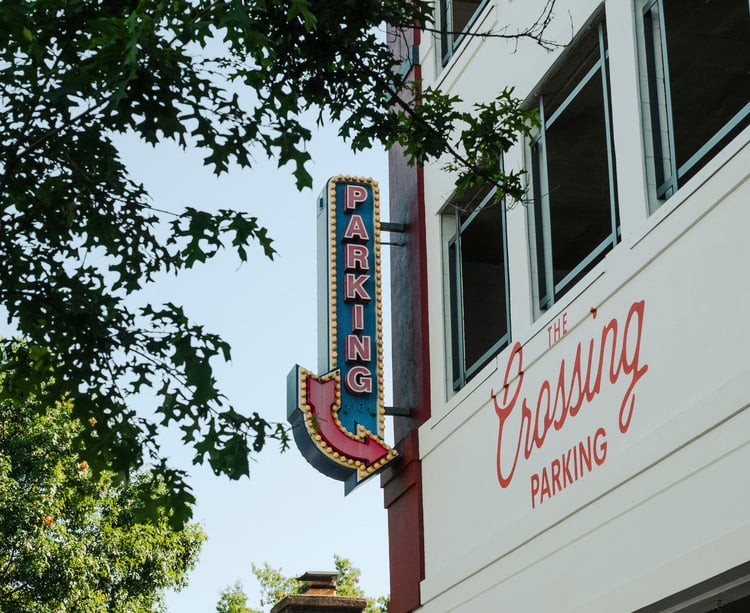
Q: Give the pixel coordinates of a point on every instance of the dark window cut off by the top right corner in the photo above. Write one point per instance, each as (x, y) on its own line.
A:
(698, 66)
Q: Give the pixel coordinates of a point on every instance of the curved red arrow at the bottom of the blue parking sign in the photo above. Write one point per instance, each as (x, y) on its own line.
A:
(321, 397)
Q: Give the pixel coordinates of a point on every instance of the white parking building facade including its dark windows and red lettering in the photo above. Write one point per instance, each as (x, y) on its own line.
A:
(587, 441)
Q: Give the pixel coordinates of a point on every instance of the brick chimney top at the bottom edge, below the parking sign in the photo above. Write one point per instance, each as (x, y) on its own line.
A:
(319, 596)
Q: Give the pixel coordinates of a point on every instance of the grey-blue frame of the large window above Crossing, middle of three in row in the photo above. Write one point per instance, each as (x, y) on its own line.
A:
(546, 291)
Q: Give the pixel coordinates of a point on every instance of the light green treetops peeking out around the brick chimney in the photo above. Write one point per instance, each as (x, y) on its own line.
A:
(275, 585)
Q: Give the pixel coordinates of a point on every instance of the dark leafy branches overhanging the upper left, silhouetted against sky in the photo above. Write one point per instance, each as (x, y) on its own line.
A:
(79, 238)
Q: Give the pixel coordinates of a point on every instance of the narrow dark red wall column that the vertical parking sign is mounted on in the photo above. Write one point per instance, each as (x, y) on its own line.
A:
(402, 481)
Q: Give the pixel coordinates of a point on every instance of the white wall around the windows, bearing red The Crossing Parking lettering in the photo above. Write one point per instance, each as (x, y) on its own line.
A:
(639, 372)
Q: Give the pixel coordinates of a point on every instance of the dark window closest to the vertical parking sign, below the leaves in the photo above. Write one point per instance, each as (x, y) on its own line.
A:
(478, 282)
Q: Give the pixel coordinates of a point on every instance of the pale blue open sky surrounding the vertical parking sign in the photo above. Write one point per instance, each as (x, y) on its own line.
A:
(286, 514)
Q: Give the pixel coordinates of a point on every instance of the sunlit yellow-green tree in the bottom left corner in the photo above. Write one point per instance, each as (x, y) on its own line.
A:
(74, 541)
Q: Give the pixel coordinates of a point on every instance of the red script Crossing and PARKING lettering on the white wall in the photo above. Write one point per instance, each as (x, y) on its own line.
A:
(527, 417)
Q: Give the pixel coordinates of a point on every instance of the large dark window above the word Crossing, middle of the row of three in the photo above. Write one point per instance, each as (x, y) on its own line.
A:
(574, 219)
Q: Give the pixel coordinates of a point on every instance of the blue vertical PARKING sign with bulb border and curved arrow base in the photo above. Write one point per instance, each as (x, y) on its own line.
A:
(338, 416)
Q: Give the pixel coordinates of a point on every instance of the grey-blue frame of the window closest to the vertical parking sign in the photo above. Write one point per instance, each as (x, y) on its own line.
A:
(460, 373)
